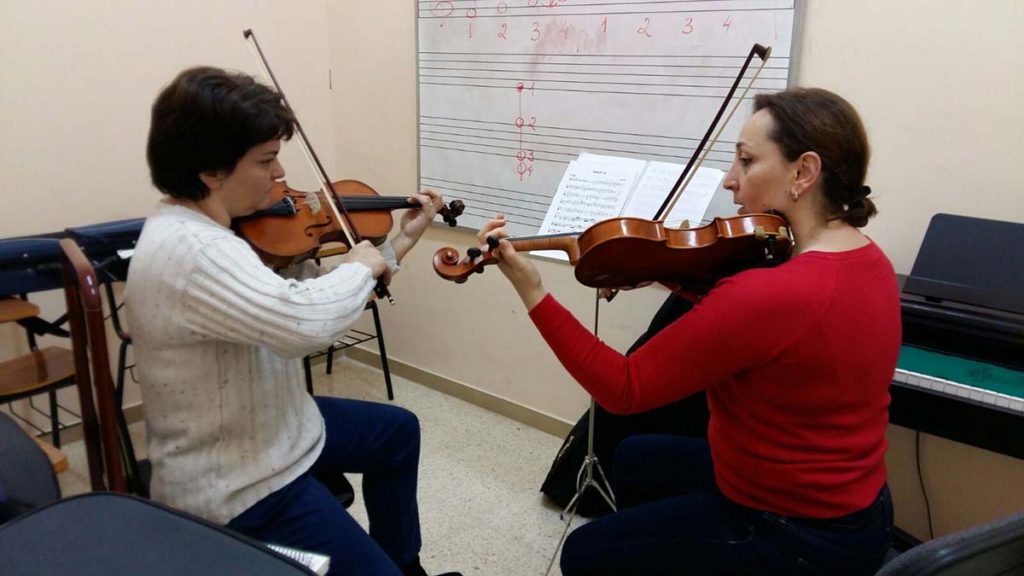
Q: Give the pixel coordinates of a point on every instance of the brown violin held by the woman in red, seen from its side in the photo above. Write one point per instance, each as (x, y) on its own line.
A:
(629, 252)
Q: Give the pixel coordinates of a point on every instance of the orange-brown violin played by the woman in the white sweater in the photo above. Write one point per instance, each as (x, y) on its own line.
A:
(298, 224)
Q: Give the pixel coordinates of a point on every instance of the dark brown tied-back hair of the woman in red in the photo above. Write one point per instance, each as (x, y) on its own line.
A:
(820, 121)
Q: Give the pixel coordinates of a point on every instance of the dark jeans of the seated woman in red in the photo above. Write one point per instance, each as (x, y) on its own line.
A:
(673, 521)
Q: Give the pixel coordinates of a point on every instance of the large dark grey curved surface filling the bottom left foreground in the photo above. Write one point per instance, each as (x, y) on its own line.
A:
(104, 533)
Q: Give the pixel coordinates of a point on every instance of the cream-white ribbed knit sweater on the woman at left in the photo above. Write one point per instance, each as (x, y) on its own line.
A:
(219, 340)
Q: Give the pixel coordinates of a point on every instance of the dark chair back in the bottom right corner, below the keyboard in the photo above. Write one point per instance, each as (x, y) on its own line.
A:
(996, 549)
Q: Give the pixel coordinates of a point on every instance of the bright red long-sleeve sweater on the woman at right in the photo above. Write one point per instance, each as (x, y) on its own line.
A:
(797, 363)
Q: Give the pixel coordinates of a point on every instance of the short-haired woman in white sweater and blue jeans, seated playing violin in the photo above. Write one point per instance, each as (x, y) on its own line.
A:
(220, 338)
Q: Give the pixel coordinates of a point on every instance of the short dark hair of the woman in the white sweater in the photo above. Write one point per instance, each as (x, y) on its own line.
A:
(207, 119)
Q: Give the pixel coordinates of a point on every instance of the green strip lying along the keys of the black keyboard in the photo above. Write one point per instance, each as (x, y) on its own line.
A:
(970, 373)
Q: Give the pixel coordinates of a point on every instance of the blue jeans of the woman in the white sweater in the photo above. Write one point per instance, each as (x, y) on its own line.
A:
(382, 443)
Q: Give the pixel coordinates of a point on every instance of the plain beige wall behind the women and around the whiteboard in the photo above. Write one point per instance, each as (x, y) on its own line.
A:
(936, 84)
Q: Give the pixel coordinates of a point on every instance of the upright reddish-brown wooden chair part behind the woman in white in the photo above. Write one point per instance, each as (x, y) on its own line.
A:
(96, 386)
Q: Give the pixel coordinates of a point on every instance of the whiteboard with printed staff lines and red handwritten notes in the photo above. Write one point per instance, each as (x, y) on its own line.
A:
(511, 92)
